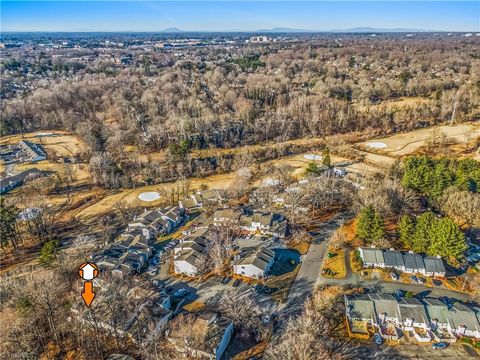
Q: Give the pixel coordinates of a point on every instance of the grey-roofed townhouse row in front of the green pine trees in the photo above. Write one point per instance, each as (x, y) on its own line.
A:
(408, 262)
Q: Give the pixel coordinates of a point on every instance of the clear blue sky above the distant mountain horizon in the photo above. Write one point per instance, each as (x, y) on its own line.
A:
(236, 15)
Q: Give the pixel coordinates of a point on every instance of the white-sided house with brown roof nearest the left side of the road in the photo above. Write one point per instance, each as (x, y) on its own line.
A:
(255, 264)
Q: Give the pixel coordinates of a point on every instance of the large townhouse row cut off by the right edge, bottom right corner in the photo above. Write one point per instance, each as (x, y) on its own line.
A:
(428, 318)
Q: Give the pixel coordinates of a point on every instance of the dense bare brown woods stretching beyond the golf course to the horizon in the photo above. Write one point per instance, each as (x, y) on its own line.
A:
(249, 94)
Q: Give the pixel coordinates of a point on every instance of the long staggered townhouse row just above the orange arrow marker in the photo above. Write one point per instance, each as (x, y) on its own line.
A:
(132, 250)
